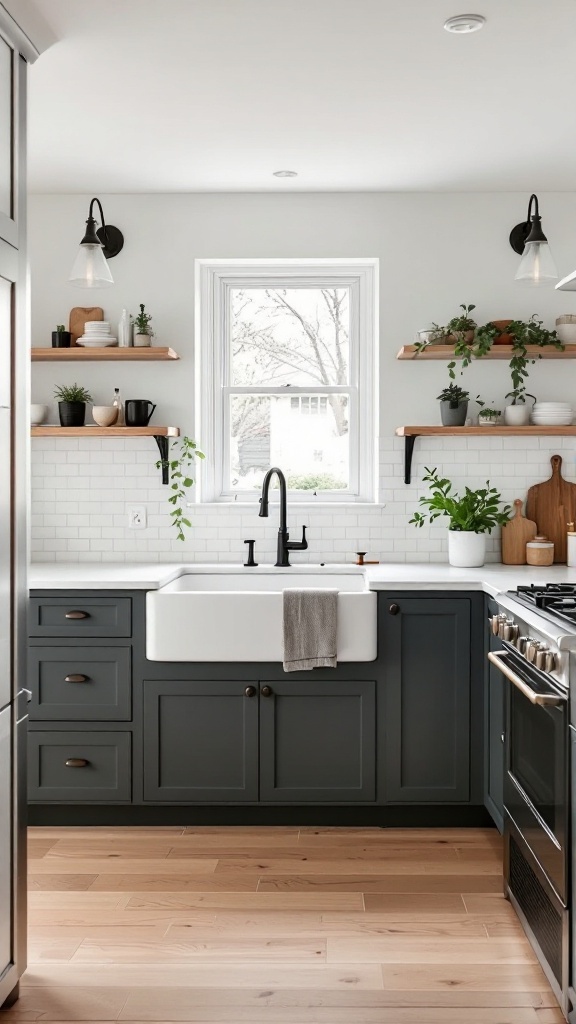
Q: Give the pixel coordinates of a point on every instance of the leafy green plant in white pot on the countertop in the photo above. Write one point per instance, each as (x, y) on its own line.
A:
(472, 516)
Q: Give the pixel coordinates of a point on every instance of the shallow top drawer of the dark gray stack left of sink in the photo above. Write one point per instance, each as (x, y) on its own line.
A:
(80, 617)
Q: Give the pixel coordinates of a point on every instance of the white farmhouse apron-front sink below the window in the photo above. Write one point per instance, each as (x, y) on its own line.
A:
(236, 616)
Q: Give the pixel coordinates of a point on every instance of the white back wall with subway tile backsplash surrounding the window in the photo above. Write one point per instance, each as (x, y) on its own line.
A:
(436, 251)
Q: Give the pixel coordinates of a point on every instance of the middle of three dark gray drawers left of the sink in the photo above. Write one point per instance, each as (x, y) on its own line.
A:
(83, 685)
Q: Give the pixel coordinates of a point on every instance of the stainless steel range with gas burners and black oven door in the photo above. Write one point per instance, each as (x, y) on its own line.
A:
(538, 629)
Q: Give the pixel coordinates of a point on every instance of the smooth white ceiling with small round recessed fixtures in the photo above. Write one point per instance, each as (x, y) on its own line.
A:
(185, 96)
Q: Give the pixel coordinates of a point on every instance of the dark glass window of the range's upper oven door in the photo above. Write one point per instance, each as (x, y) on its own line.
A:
(537, 755)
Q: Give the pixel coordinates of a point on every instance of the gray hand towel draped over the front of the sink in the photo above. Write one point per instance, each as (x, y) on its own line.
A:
(310, 629)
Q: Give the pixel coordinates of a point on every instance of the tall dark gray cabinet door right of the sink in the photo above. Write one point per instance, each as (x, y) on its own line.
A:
(427, 746)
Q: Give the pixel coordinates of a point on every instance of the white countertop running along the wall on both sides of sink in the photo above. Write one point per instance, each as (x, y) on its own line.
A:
(492, 579)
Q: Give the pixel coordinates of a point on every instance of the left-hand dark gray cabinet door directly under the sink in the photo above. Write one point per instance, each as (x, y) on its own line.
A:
(201, 742)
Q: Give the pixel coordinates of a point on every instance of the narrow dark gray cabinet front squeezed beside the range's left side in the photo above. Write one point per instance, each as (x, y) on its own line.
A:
(495, 731)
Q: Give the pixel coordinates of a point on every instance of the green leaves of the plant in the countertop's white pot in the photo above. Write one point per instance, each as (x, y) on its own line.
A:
(475, 511)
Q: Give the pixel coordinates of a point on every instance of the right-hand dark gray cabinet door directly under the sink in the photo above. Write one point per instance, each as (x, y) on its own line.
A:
(318, 742)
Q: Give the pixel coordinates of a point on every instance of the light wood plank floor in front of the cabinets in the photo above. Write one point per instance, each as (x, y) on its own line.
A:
(283, 926)
